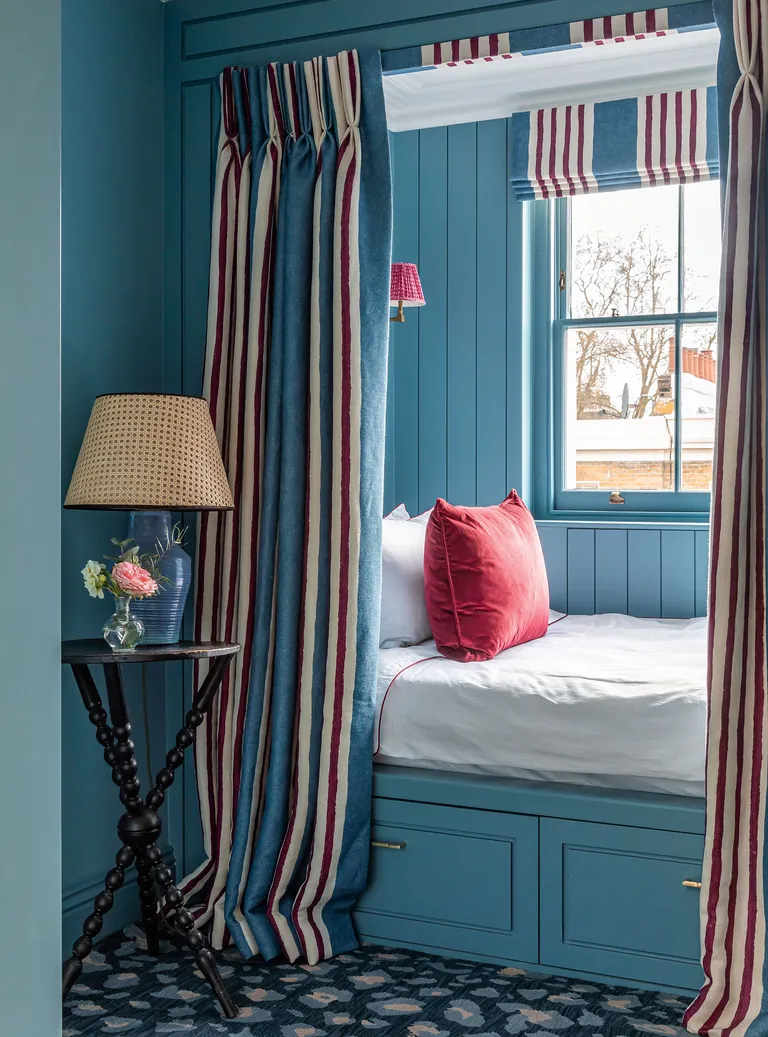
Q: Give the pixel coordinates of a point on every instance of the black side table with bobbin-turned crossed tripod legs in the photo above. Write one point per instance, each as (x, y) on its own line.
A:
(140, 828)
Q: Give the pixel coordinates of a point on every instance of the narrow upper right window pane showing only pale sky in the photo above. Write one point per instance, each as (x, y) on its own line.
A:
(701, 246)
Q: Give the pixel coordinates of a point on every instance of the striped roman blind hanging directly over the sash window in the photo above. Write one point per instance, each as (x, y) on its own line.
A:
(664, 138)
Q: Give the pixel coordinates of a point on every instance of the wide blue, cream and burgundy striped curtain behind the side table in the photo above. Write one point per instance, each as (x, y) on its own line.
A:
(296, 374)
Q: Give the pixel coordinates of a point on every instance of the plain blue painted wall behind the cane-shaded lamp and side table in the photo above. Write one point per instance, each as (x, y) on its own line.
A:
(112, 242)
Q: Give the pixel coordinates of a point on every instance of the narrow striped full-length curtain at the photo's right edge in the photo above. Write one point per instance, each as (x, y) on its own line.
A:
(733, 999)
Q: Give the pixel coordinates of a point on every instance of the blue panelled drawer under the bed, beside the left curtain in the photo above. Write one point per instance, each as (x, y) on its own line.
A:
(453, 880)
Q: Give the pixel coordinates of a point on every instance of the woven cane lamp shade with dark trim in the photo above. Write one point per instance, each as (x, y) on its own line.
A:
(144, 452)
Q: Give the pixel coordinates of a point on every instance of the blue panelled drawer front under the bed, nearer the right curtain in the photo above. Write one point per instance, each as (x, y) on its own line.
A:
(613, 902)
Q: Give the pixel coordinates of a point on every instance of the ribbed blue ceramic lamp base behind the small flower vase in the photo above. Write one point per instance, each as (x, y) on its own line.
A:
(162, 614)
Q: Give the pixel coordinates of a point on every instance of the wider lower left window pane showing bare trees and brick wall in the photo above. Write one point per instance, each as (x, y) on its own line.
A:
(619, 409)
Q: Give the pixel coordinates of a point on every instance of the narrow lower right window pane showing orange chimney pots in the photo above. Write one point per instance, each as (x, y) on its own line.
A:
(698, 383)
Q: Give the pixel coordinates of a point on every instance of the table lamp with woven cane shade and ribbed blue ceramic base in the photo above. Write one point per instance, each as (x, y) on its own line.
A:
(151, 455)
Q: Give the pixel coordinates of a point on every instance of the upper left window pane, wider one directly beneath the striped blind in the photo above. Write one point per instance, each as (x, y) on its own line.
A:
(624, 254)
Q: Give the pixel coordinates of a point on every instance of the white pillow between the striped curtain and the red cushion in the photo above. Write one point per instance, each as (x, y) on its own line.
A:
(405, 620)
